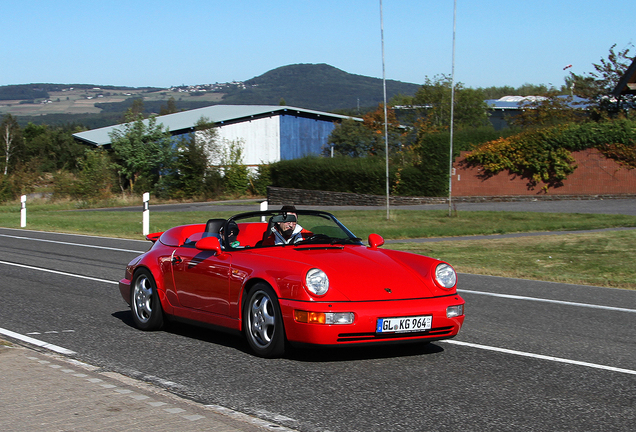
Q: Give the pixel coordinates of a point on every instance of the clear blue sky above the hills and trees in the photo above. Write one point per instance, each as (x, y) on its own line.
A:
(163, 43)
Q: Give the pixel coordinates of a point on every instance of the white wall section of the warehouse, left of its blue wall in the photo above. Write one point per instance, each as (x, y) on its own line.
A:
(260, 138)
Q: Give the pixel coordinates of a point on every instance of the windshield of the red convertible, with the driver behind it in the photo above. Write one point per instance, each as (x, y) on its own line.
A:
(275, 228)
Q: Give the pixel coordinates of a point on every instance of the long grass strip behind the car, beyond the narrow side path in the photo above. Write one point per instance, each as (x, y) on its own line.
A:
(404, 224)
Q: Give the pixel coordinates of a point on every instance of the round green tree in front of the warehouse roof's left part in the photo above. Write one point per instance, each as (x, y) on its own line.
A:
(142, 150)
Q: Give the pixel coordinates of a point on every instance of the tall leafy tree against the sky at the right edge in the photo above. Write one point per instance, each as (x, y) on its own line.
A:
(598, 86)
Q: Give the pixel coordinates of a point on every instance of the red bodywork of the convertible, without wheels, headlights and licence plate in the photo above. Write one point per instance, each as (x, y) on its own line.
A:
(370, 282)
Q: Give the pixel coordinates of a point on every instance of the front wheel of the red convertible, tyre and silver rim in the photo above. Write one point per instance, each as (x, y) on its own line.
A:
(263, 322)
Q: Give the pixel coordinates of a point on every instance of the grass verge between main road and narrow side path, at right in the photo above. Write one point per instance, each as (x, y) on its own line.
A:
(601, 259)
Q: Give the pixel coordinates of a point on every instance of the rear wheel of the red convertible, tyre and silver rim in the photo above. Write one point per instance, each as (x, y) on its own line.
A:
(144, 302)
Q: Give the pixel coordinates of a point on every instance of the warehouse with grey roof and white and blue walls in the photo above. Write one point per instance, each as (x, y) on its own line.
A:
(268, 133)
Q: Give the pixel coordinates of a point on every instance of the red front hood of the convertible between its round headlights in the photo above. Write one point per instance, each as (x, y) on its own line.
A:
(360, 273)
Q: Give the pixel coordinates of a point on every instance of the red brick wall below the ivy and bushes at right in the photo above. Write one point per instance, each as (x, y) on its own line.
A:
(594, 175)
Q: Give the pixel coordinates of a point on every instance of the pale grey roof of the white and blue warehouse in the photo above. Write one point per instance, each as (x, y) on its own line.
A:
(219, 114)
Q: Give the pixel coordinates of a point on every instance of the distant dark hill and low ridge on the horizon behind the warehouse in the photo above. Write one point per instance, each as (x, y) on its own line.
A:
(311, 86)
